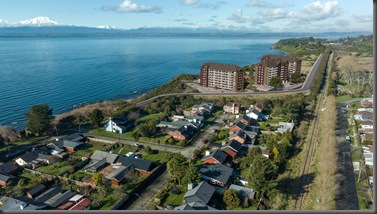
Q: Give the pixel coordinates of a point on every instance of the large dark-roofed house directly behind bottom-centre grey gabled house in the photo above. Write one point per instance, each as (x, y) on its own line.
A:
(216, 174)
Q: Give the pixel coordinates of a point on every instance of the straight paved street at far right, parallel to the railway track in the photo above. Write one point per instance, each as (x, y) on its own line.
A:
(346, 198)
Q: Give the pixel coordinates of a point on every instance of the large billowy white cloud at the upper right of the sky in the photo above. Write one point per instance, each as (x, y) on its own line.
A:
(317, 11)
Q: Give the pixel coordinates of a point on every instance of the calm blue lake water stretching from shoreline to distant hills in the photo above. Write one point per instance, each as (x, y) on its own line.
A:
(66, 71)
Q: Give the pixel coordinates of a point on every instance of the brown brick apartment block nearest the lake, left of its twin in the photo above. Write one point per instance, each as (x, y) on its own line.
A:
(222, 76)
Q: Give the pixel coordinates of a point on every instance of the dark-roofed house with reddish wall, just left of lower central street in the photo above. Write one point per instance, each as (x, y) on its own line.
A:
(142, 166)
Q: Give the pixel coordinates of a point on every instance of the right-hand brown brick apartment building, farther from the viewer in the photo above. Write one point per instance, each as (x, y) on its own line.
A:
(274, 65)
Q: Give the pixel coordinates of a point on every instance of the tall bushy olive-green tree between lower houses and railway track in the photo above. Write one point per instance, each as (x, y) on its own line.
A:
(262, 176)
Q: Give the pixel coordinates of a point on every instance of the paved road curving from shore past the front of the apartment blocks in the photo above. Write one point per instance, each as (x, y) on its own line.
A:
(305, 87)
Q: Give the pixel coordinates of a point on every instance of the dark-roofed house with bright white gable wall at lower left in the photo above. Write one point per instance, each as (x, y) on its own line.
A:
(34, 158)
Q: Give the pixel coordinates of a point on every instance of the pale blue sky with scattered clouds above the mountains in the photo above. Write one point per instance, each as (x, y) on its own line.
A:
(254, 15)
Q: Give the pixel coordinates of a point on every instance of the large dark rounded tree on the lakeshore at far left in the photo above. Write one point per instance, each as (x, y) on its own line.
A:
(39, 119)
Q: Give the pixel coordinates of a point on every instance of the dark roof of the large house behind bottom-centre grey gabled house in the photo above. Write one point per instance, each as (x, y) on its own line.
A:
(216, 171)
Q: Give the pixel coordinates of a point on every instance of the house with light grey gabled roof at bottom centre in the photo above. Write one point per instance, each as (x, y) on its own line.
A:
(203, 193)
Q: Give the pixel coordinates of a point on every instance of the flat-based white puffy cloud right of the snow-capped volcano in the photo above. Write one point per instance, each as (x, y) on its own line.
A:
(127, 6)
